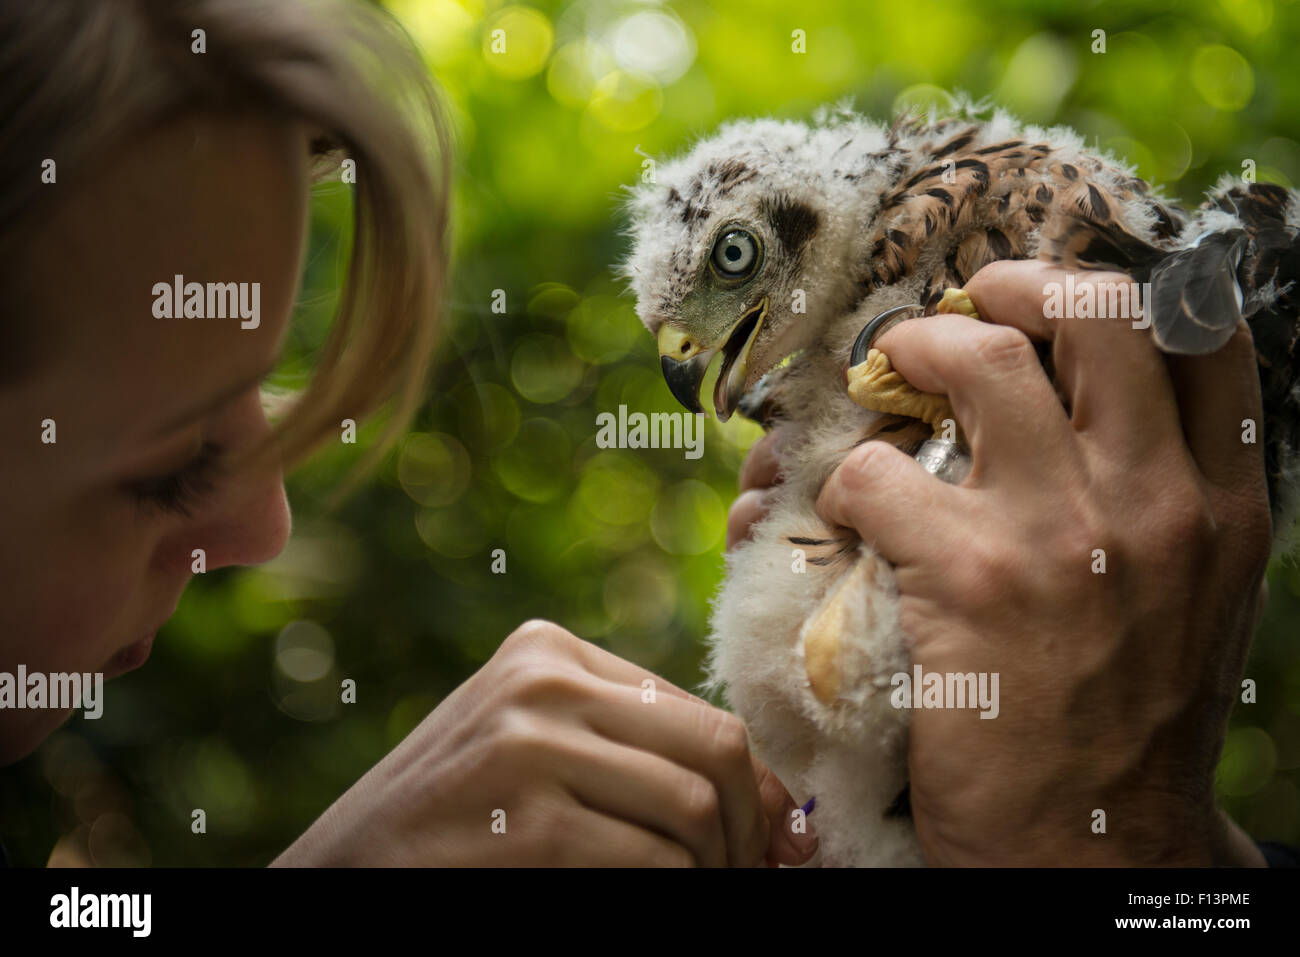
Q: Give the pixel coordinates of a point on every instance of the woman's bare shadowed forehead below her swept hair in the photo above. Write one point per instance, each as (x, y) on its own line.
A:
(170, 272)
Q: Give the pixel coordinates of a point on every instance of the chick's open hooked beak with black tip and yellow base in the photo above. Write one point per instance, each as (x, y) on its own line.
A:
(686, 361)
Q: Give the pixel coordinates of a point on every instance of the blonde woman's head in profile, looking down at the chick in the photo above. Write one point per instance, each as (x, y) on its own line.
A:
(155, 166)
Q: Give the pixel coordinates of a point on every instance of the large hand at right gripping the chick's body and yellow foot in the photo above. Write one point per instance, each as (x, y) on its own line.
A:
(1104, 558)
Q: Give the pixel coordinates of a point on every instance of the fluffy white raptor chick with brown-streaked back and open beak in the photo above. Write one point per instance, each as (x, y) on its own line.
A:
(775, 244)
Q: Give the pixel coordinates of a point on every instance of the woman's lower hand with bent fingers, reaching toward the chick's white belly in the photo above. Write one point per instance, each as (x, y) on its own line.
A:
(561, 754)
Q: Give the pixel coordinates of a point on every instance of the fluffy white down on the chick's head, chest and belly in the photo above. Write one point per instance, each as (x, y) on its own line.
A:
(851, 755)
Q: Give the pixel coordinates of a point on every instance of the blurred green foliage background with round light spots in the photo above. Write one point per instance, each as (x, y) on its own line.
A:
(239, 712)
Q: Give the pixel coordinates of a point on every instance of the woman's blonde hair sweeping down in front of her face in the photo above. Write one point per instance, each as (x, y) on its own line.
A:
(76, 77)
